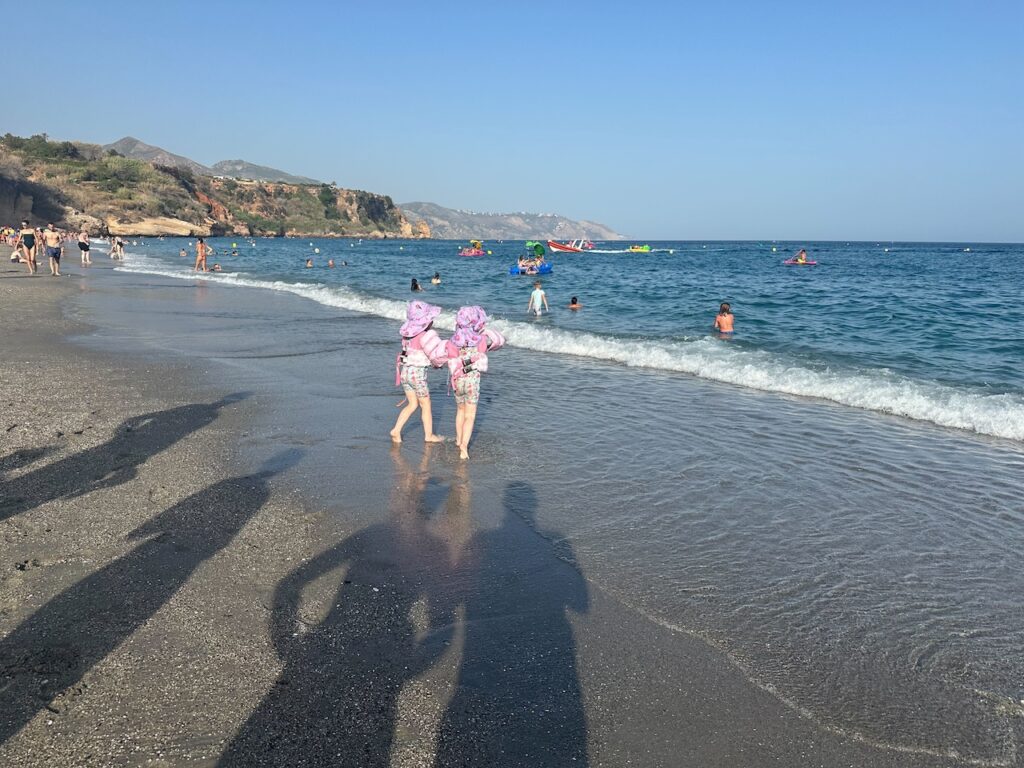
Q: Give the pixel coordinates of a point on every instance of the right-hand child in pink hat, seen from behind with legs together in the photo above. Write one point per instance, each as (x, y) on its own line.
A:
(467, 359)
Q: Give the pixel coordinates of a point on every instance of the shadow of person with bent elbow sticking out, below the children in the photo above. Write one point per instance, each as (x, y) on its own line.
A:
(345, 665)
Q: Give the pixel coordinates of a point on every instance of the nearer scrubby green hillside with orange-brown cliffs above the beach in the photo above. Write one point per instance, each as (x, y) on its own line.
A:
(83, 185)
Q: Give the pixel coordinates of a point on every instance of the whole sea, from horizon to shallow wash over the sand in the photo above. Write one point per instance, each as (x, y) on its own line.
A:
(833, 497)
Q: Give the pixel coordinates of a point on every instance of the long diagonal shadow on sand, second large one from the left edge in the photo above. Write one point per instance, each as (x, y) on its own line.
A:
(57, 646)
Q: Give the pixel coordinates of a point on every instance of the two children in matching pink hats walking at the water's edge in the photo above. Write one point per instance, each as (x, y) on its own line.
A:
(465, 356)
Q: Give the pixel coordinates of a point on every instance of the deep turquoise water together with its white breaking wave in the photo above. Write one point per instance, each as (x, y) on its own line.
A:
(933, 332)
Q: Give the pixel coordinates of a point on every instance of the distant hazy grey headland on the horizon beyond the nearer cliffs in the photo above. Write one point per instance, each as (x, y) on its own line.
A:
(453, 225)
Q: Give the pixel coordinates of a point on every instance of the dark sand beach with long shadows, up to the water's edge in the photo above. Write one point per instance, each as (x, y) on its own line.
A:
(191, 576)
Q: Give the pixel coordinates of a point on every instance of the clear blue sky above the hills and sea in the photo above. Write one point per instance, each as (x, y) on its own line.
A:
(732, 120)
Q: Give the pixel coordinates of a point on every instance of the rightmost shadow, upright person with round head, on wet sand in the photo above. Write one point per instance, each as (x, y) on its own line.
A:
(519, 701)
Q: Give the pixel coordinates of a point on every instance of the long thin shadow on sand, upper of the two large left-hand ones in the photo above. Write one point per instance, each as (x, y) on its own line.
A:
(111, 464)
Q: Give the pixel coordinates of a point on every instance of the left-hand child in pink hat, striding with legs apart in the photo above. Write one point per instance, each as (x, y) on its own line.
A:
(421, 349)
